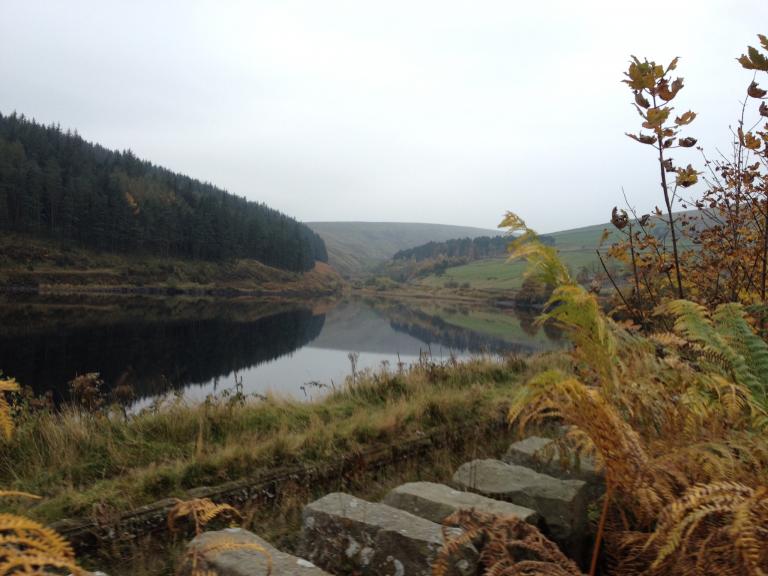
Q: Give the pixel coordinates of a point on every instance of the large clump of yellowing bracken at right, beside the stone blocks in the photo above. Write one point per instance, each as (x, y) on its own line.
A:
(678, 420)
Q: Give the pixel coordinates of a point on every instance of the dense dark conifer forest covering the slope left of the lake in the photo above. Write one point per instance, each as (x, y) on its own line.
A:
(55, 184)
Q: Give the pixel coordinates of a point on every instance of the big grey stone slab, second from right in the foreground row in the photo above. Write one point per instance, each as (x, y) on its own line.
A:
(562, 503)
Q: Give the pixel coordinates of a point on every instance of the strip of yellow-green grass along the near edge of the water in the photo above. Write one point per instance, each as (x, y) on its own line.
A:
(81, 461)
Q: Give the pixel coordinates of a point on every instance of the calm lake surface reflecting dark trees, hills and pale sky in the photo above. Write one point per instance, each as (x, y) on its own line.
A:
(197, 347)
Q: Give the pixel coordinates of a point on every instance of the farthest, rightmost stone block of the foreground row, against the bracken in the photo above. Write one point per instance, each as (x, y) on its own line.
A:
(544, 455)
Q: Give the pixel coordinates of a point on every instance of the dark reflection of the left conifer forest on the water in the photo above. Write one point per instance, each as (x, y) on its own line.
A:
(154, 357)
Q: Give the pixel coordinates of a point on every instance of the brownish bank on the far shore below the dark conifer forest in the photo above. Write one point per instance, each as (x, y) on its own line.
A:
(31, 263)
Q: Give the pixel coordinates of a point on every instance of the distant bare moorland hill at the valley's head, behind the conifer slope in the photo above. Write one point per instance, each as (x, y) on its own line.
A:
(357, 247)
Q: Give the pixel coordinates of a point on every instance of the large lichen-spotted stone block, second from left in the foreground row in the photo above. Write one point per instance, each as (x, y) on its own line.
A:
(346, 535)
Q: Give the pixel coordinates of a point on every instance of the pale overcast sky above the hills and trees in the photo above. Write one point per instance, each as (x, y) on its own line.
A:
(429, 111)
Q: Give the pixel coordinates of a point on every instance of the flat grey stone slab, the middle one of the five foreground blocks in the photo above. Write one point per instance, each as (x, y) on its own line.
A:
(436, 501)
